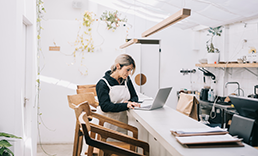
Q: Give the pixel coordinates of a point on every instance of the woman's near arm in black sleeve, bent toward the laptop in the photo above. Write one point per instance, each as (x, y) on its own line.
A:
(104, 100)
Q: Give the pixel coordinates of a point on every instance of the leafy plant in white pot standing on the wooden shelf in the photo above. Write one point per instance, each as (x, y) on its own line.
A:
(213, 52)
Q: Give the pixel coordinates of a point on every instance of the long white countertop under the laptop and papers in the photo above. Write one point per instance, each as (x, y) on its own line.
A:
(159, 122)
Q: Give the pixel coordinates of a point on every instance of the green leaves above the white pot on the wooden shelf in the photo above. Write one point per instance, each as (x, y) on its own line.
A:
(209, 44)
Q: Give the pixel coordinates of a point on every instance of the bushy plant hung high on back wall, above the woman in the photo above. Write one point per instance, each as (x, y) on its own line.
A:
(112, 20)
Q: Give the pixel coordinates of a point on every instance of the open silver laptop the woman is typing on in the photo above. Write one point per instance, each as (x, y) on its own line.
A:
(158, 102)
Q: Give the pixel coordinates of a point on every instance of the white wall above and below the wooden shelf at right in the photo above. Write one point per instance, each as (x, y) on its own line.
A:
(233, 47)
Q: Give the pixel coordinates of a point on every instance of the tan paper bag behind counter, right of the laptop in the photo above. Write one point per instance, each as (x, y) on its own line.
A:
(187, 104)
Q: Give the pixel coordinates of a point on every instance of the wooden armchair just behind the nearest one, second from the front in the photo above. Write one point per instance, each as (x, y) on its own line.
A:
(77, 99)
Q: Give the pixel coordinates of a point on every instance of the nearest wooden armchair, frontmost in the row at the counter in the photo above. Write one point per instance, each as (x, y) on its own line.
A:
(108, 149)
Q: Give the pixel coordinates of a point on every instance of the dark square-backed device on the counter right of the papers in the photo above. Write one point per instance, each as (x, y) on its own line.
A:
(242, 127)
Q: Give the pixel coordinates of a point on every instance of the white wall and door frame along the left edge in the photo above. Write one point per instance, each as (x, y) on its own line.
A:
(13, 15)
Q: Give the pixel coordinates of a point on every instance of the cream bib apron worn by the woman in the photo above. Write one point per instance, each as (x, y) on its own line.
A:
(117, 94)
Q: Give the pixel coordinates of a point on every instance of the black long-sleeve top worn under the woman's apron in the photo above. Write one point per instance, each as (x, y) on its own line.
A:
(103, 94)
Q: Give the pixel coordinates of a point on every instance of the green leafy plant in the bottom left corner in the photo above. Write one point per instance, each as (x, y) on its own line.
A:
(4, 144)
